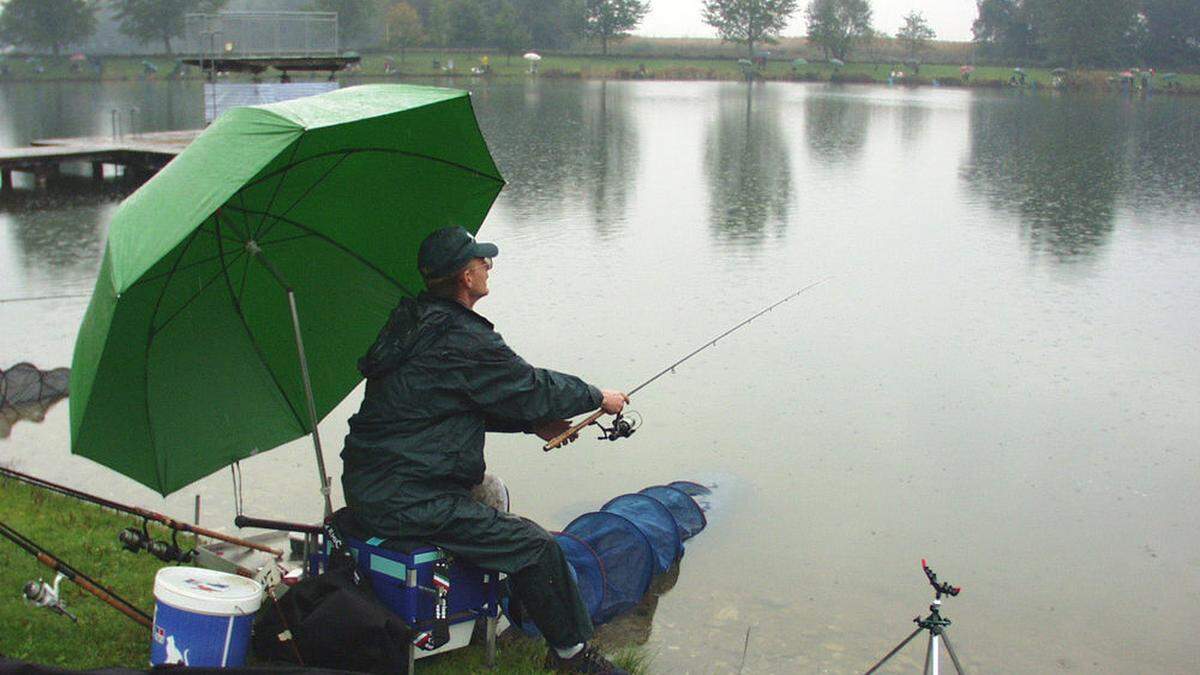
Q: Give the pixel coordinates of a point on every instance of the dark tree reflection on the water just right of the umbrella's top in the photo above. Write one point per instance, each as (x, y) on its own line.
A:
(559, 145)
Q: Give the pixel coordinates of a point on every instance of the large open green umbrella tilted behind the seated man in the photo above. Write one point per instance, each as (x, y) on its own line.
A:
(279, 240)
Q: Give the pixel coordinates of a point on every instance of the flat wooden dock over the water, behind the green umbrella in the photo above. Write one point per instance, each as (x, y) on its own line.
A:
(142, 154)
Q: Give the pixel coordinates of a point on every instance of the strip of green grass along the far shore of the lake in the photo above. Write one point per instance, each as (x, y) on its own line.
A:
(459, 65)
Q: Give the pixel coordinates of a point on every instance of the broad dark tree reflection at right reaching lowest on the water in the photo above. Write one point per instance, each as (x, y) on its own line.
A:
(1057, 163)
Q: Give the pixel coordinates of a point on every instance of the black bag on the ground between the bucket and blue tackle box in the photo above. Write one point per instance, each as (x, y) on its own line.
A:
(333, 620)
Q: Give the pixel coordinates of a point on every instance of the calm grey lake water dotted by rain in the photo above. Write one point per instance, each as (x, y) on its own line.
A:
(997, 377)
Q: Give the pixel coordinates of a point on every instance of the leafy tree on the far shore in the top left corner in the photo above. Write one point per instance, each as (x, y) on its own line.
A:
(47, 23)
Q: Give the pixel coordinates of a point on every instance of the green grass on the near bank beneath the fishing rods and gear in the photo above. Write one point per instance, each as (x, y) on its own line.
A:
(86, 537)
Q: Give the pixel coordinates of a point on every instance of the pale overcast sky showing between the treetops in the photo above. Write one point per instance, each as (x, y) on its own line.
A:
(950, 19)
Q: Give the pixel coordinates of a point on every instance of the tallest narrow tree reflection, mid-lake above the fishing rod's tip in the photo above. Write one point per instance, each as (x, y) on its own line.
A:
(748, 166)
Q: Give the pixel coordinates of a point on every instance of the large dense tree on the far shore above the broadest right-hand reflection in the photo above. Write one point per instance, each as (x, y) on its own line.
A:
(1084, 32)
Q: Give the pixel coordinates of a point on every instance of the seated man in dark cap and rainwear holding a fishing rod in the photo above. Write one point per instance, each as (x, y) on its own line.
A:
(439, 378)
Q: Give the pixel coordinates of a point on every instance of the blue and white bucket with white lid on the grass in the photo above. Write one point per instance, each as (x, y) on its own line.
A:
(202, 618)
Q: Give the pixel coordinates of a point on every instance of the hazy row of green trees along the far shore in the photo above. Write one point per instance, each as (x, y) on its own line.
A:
(1069, 33)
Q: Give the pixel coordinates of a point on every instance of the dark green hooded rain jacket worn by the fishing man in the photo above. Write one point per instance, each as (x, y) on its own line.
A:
(439, 378)
